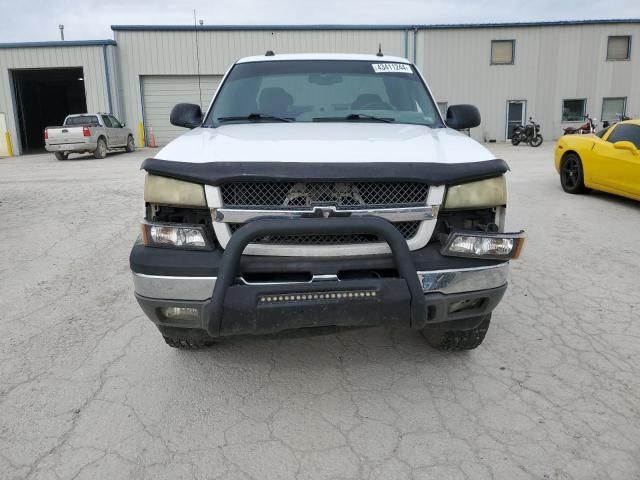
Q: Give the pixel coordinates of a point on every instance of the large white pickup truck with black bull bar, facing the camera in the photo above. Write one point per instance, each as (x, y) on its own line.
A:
(320, 191)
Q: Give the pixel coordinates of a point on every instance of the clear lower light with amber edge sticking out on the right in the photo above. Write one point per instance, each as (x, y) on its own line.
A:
(500, 246)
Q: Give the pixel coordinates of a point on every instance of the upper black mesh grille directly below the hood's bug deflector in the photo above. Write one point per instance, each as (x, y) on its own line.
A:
(342, 195)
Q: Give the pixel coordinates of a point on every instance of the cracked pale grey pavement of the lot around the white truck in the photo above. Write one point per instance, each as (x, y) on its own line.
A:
(89, 390)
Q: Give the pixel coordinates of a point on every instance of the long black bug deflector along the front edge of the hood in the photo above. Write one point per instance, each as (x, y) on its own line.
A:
(216, 173)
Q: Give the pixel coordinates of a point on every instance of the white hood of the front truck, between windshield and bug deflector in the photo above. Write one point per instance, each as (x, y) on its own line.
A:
(324, 143)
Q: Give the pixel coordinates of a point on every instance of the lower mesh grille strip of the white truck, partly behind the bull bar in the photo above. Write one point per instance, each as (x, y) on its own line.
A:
(407, 229)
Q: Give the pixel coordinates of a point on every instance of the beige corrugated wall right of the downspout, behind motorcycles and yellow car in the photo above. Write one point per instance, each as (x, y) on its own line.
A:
(551, 64)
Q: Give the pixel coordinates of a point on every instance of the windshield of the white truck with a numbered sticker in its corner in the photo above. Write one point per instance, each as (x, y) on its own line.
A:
(323, 91)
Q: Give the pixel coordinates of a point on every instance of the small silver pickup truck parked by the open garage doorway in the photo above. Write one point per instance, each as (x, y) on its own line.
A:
(88, 133)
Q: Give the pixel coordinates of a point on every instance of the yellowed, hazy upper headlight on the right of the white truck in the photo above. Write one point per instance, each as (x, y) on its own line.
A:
(484, 193)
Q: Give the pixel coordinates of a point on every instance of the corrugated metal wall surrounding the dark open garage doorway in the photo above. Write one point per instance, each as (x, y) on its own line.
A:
(90, 58)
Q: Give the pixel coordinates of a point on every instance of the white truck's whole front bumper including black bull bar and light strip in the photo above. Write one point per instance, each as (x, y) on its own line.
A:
(226, 305)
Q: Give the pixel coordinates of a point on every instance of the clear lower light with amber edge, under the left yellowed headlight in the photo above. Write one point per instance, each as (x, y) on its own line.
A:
(176, 235)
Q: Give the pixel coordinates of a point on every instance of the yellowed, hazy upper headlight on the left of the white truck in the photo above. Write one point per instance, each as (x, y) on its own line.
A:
(169, 191)
